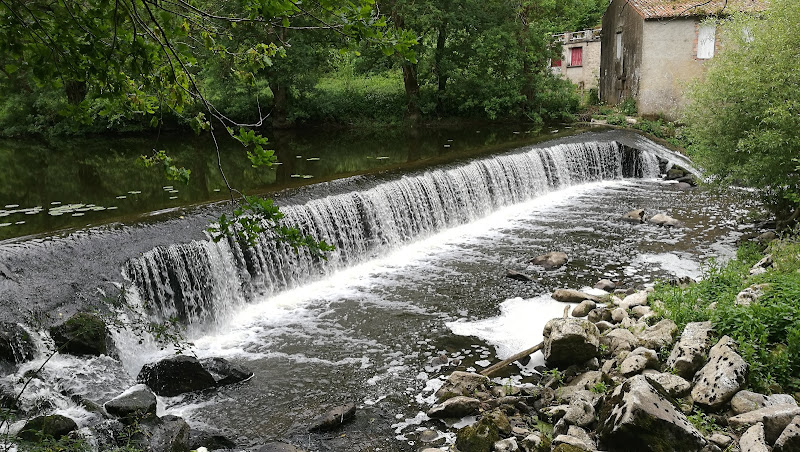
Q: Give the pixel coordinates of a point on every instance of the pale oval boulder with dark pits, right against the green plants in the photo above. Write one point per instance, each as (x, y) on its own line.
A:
(722, 377)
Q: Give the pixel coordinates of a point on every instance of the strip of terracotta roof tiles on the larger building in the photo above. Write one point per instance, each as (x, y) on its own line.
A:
(661, 9)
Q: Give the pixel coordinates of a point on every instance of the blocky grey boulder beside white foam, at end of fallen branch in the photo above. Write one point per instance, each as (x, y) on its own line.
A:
(570, 341)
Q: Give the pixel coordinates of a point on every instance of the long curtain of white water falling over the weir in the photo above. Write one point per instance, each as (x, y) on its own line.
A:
(200, 281)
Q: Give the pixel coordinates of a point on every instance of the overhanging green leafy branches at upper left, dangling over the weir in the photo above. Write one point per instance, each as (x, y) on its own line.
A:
(139, 59)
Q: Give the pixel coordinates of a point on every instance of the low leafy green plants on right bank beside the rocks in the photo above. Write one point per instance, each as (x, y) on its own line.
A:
(767, 330)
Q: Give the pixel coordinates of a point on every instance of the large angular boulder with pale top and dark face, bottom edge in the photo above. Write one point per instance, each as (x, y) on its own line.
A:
(638, 416)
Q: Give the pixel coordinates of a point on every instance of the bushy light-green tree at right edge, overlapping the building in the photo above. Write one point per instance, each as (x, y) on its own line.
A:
(744, 117)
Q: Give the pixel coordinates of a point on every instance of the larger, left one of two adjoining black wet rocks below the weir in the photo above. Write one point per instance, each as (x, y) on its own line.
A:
(176, 375)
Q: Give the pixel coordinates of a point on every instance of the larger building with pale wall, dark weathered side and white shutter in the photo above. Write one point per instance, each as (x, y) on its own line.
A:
(652, 49)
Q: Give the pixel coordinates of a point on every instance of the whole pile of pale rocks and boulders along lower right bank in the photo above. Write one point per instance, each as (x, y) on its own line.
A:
(618, 380)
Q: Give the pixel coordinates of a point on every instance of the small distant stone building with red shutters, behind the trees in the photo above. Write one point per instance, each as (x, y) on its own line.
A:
(580, 62)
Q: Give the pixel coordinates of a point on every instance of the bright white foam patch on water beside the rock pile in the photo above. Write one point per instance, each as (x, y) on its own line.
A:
(518, 327)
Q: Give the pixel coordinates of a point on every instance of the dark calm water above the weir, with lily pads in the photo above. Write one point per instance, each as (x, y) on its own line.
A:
(70, 183)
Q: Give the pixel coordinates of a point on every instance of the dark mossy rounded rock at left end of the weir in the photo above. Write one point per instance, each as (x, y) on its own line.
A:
(83, 334)
